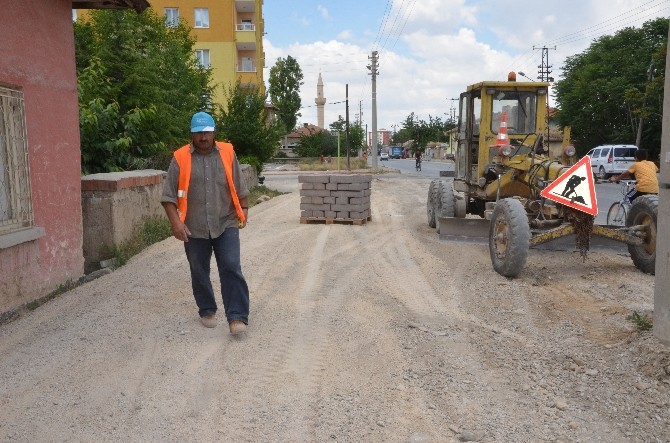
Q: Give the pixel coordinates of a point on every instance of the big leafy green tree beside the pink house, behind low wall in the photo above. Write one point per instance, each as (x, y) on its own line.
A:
(138, 85)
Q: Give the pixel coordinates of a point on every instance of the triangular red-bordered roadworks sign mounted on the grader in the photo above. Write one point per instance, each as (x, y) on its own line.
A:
(575, 188)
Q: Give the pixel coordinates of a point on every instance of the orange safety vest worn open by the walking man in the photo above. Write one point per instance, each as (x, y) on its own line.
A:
(183, 157)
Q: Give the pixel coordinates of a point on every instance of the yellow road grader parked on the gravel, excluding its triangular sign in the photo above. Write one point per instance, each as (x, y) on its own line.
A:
(495, 192)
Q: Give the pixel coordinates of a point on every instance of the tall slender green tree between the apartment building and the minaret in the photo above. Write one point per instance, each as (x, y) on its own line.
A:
(284, 91)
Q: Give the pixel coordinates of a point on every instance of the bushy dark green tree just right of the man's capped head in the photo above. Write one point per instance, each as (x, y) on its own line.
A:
(243, 122)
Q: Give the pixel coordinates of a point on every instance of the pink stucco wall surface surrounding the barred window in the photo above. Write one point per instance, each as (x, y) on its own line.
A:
(37, 54)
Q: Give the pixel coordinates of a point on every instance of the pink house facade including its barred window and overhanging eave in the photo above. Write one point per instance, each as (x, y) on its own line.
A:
(40, 157)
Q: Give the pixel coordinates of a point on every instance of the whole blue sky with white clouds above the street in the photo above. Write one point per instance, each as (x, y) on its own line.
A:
(430, 50)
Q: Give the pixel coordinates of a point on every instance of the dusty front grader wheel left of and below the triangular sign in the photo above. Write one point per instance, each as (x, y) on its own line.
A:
(509, 237)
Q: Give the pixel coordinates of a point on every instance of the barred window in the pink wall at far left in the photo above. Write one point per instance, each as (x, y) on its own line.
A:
(15, 205)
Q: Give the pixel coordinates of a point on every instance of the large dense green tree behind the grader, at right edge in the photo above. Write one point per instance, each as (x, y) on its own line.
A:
(618, 80)
